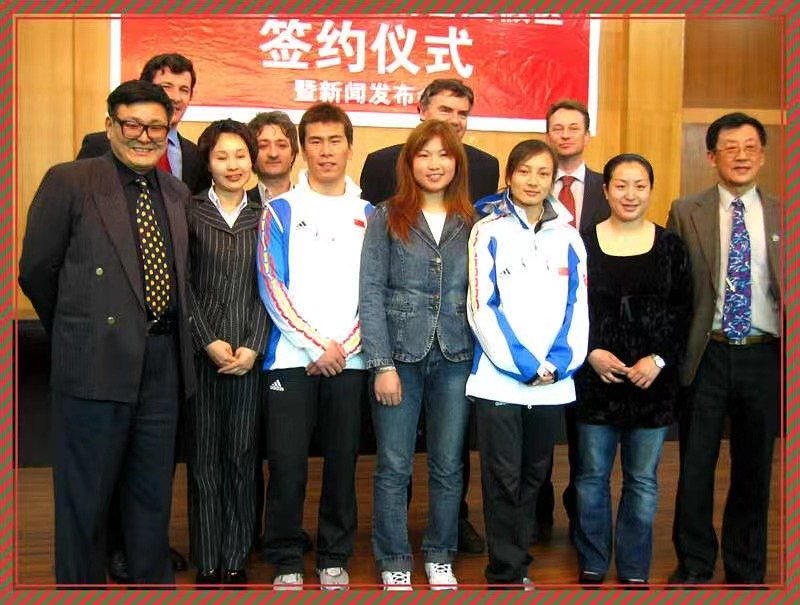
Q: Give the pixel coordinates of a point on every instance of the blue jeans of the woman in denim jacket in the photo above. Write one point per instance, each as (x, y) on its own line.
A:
(440, 385)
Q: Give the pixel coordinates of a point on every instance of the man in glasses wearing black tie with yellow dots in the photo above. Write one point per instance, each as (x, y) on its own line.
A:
(104, 262)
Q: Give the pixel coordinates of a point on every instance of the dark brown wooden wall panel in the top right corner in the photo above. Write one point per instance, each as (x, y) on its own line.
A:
(733, 63)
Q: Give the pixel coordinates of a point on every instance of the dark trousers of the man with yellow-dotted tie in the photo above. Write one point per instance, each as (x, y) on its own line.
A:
(100, 445)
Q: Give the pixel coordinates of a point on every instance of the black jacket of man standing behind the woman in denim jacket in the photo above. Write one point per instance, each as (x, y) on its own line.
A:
(379, 176)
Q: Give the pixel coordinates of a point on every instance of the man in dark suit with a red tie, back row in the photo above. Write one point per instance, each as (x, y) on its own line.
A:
(580, 189)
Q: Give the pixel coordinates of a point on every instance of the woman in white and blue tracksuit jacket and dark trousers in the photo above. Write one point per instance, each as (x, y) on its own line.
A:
(527, 308)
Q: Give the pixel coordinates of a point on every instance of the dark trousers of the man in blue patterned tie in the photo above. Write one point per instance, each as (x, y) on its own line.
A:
(742, 384)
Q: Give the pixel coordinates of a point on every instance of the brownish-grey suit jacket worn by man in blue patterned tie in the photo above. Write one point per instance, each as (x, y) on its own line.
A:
(696, 220)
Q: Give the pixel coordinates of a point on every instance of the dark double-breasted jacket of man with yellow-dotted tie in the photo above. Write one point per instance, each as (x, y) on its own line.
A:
(81, 270)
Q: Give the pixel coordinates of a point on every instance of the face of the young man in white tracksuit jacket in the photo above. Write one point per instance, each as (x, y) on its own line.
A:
(326, 152)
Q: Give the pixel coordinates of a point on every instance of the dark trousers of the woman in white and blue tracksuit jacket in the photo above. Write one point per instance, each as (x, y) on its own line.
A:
(516, 445)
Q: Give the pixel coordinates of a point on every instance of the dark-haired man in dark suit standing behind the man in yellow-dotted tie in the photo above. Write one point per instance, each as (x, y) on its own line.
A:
(175, 74)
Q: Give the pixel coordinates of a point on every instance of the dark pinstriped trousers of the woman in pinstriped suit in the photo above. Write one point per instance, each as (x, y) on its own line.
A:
(222, 424)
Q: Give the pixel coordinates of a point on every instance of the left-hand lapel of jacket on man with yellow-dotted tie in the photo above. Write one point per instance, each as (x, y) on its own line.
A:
(115, 215)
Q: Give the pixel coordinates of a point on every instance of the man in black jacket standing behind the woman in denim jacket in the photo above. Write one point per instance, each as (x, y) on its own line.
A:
(451, 101)
